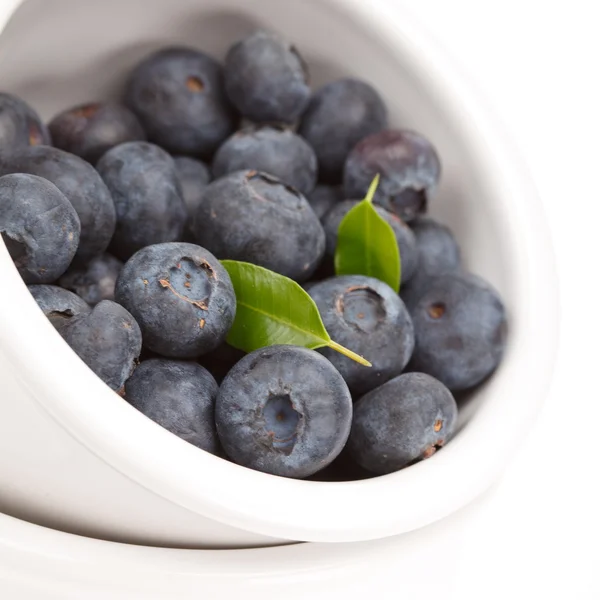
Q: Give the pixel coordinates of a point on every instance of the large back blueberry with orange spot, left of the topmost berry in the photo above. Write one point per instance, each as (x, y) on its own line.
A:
(178, 95)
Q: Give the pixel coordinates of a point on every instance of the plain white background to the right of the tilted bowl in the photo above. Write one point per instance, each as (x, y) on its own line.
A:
(536, 535)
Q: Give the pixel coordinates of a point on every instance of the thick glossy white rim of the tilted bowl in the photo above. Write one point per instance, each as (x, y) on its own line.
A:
(306, 510)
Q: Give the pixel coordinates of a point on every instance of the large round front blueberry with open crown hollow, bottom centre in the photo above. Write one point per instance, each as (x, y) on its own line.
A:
(283, 410)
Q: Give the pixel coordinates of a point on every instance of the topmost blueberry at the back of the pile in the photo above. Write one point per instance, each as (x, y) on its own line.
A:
(267, 79)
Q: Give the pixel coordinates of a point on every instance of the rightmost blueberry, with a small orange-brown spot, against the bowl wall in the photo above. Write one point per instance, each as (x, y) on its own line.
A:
(460, 330)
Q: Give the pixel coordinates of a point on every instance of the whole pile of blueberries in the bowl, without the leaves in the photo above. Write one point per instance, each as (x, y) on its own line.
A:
(116, 216)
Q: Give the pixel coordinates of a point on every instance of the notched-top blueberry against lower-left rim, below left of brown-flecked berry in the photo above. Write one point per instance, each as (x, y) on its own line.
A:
(108, 340)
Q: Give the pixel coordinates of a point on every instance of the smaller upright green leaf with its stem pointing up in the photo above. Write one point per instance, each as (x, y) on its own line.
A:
(367, 244)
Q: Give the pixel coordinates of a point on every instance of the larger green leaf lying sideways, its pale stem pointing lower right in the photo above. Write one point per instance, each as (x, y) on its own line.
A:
(273, 309)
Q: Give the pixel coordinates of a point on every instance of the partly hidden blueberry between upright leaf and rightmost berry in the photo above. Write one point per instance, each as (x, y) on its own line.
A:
(438, 254)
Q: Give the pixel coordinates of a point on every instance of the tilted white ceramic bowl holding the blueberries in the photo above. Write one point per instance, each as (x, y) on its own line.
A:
(75, 456)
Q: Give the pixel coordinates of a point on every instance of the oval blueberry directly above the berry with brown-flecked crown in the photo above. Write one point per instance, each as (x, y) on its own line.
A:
(150, 209)
